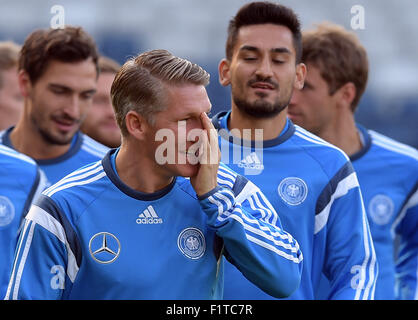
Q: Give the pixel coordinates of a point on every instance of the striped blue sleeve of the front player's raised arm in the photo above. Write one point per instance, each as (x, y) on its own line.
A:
(251, 231)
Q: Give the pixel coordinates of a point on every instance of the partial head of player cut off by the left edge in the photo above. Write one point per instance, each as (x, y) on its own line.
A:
(11, 99)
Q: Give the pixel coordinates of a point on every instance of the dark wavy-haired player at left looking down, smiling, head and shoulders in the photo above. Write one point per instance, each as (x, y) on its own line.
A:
(58, 73)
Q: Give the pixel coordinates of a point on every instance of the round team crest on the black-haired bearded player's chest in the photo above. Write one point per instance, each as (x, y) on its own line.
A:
(293, 190)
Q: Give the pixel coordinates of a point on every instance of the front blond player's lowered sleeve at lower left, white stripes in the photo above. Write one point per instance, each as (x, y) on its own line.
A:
(46, 260)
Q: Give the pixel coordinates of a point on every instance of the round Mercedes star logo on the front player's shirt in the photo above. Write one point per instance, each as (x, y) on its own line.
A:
(104, 247)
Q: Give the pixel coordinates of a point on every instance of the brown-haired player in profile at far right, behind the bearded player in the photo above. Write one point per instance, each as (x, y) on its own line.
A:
(387, 170)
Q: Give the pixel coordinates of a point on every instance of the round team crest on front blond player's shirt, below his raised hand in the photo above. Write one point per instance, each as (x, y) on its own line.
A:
(191, 243)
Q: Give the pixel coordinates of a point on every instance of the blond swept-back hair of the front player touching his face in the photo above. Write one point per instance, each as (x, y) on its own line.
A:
(139, 84)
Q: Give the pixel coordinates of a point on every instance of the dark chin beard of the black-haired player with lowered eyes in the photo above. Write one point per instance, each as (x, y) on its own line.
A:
(260, 108)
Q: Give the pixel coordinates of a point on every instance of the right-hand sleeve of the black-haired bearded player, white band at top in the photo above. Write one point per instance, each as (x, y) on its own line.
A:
(350, 260)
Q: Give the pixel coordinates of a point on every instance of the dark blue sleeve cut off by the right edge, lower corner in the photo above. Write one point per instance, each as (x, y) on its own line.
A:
(407, 262)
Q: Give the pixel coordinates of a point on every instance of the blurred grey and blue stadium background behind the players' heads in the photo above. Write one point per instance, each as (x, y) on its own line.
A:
(196, 29)
